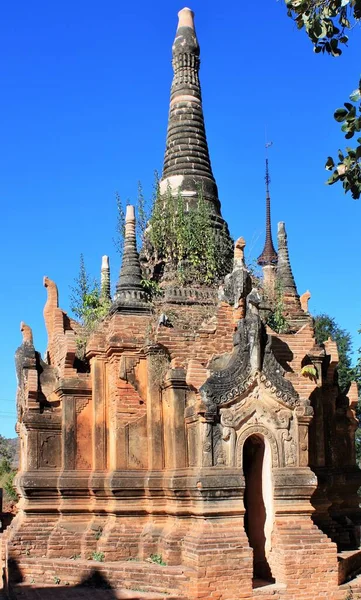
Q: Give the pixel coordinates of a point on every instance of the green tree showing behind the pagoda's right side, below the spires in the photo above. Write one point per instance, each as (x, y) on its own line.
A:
(326, 327)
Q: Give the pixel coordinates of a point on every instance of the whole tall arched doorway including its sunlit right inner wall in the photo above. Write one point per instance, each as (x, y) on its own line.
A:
(258, 500)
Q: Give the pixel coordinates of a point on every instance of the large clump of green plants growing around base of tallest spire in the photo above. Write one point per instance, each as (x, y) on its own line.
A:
(187, 240)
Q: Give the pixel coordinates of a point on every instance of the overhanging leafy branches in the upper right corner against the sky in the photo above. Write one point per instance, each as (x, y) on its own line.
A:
(326, 23)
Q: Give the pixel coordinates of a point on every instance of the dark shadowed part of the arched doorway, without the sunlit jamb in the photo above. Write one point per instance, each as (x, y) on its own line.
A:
(255, 516)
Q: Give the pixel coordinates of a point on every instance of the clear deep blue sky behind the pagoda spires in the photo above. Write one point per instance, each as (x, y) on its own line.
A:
(83, 113)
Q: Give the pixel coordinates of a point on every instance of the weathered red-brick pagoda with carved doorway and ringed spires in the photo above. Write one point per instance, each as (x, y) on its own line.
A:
(190, 434)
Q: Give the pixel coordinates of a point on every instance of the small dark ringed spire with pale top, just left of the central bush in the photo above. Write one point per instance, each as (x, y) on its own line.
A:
(129, 292)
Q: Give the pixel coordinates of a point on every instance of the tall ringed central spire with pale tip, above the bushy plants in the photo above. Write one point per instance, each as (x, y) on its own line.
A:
(187, 166)
